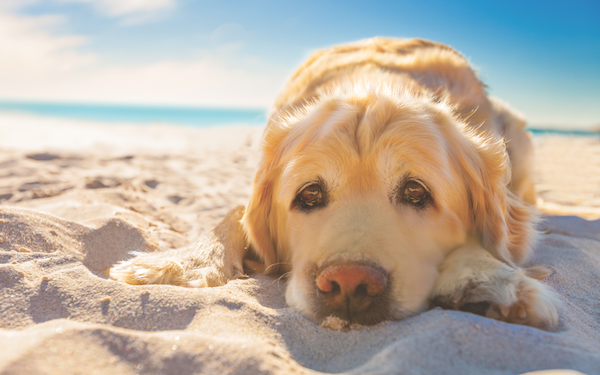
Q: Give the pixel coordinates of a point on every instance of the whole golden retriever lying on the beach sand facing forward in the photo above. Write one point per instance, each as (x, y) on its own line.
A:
(389, 180)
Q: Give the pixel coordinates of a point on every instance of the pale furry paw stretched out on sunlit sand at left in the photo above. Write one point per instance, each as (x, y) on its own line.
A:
(143, 270)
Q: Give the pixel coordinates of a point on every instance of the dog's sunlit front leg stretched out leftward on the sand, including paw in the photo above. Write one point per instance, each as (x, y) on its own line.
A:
(213, 260)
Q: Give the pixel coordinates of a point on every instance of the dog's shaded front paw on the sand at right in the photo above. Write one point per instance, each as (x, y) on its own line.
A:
(534, 305)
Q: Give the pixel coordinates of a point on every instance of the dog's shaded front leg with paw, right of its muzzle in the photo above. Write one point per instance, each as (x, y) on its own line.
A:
(471, 275)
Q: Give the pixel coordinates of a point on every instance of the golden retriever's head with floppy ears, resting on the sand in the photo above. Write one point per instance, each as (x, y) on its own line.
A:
(361, 194)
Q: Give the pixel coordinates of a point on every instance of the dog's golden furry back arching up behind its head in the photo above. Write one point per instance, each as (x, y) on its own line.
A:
(418, 65)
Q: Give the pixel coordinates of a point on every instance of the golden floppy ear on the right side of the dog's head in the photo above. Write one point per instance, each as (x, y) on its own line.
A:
(503, 222)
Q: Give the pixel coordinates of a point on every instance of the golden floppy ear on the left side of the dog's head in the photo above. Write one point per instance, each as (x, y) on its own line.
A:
(259, 220)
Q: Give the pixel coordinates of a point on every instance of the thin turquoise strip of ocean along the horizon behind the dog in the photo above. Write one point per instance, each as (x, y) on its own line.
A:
(186, 116)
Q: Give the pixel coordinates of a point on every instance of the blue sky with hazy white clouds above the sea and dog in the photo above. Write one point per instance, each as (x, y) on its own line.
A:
(543, 57)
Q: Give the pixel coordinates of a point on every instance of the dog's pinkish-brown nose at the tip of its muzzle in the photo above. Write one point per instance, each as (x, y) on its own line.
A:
(352, 291)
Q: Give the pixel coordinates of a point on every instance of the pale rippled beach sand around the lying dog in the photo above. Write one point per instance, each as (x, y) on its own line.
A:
(77, 197)
